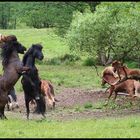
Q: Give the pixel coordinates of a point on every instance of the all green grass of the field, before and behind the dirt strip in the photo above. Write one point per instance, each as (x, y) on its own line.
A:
(67, 76)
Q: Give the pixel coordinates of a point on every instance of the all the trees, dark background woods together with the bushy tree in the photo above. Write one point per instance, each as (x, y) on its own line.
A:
(104, 30)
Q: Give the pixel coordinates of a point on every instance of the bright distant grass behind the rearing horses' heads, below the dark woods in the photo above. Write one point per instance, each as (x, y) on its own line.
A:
(53, 45)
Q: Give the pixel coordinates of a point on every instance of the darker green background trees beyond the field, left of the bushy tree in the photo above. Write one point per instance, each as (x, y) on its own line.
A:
(40, 14)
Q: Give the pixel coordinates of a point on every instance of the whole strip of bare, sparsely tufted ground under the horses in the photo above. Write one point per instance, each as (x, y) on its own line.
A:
(72, 105)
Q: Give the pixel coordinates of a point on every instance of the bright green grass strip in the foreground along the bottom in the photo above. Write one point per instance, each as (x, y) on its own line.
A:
(127, 127)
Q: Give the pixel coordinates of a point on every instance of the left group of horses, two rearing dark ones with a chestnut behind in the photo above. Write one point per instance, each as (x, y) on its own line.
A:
(34, 88)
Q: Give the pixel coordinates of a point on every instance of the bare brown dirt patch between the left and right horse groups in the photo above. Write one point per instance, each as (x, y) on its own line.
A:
(70, 97)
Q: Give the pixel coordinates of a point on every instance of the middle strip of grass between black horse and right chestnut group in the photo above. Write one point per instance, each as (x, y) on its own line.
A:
(68, 76)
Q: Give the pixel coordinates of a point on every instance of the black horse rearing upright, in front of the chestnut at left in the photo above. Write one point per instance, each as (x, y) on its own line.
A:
(31, 82)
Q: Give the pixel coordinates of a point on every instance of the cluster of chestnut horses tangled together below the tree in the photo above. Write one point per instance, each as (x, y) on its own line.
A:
(121, 79)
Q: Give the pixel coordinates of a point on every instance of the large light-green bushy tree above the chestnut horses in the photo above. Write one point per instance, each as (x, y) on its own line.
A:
(111, 32)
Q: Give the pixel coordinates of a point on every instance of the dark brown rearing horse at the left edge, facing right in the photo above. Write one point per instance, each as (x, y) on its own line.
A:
(12, 69)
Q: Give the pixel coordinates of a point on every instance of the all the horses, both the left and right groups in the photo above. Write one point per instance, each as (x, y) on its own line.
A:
(36, 89)
